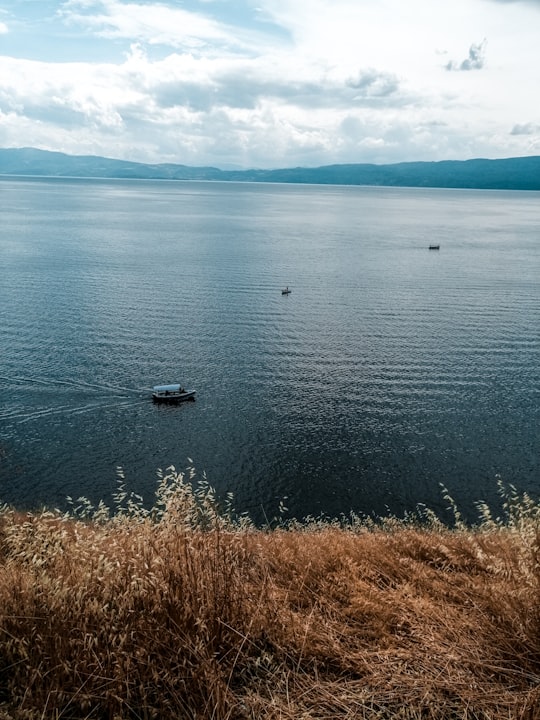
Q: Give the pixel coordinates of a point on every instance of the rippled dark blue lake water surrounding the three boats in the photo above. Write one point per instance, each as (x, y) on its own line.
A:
(388, 370)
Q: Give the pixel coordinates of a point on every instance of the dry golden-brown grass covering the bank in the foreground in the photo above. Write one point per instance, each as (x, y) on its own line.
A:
(182, 612)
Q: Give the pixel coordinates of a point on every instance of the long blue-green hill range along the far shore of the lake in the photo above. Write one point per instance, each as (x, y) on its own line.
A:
(509, 174)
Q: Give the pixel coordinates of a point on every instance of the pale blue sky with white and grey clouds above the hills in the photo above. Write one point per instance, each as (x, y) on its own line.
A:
(272, 83)
